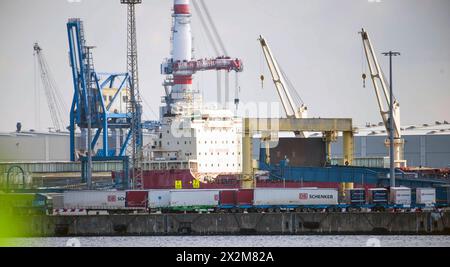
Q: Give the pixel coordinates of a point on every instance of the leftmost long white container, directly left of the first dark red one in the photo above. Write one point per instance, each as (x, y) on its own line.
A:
(94, 199)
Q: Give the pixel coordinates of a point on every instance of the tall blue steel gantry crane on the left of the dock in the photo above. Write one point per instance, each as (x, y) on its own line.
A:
(97, 102)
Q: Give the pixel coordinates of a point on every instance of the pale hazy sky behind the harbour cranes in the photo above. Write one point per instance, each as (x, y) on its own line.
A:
(315, 41)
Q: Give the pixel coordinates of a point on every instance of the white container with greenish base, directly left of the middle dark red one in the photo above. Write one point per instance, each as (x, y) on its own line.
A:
(194, 197)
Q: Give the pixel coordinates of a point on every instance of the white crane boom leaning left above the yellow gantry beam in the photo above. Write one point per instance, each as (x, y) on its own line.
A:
(290, 107)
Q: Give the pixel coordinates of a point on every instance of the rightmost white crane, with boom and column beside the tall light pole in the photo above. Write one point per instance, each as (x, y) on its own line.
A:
(381, 87)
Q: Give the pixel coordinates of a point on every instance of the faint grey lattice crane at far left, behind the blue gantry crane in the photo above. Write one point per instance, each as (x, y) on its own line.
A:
(55, 101)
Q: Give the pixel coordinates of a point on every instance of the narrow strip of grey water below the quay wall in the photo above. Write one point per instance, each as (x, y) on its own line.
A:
(244, 241)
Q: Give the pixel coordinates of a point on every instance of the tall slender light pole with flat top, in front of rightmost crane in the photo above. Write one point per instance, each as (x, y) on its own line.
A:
(391, 118)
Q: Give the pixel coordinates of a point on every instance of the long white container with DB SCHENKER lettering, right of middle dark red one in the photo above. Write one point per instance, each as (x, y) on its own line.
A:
(295, 196)
